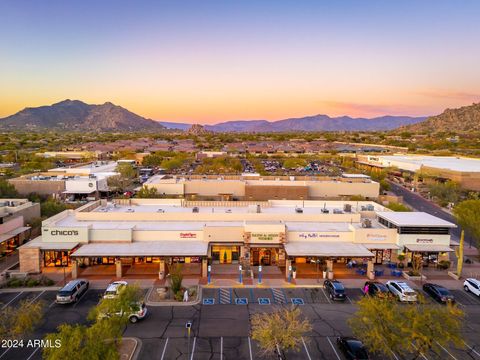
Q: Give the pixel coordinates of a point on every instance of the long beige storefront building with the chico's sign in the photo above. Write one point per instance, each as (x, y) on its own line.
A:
(135, 235)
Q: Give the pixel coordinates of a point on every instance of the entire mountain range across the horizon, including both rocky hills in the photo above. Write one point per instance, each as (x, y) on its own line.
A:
(75, 115)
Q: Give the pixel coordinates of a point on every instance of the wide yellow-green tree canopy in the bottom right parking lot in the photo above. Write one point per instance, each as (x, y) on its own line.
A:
(387, 327)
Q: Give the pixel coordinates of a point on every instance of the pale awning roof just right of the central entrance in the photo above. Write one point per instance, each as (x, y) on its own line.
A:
(326, 249)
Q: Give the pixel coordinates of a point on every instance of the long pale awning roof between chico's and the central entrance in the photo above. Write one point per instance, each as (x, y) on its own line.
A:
(147, 248)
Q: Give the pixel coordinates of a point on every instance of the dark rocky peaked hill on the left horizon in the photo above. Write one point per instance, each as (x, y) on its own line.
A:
(74, 115)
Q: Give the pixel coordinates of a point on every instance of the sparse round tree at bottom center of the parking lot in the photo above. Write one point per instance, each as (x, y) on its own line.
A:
(279, 331)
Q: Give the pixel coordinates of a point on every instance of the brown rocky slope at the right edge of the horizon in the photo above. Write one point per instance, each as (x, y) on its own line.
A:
(466, 118)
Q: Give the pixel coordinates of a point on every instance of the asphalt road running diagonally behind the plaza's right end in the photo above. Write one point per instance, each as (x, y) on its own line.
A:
(419, 203)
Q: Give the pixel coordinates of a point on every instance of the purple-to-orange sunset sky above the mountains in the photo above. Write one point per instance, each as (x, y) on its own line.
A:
(211, 61)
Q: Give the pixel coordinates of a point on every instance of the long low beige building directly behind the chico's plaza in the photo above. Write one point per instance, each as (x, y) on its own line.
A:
(254, 187)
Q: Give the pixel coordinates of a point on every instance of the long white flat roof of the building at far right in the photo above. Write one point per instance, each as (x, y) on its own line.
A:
(460, 164)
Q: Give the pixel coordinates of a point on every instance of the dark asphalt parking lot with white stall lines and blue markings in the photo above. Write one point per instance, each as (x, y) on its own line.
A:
(221, 330)
